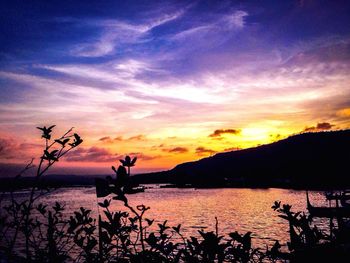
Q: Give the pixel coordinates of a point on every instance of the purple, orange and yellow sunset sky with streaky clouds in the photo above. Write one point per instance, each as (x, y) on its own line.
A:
(169, 81)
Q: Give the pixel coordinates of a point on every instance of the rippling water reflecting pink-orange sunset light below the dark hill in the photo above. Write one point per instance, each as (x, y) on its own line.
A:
(239, 210)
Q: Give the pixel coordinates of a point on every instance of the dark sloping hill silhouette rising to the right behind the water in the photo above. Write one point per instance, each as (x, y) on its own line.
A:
(308, 160)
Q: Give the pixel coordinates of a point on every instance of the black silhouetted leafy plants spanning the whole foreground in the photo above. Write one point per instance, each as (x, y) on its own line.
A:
(30, 231)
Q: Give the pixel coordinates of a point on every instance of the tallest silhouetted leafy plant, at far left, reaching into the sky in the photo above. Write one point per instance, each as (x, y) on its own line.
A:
(19, 217)
